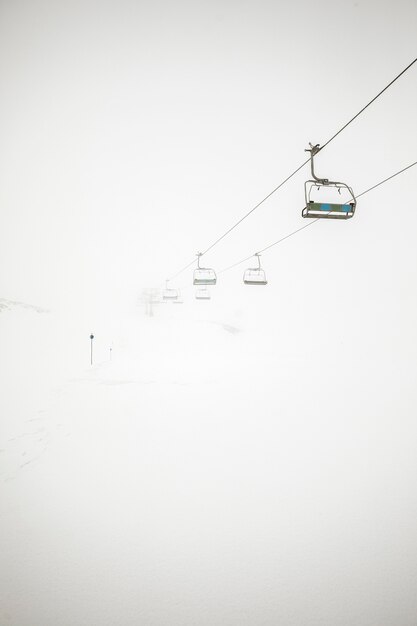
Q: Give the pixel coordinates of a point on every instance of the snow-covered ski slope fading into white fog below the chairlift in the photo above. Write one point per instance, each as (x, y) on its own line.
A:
(200, 476)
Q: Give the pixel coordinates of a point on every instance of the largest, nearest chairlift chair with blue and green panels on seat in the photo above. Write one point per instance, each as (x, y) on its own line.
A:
(326, 209)
